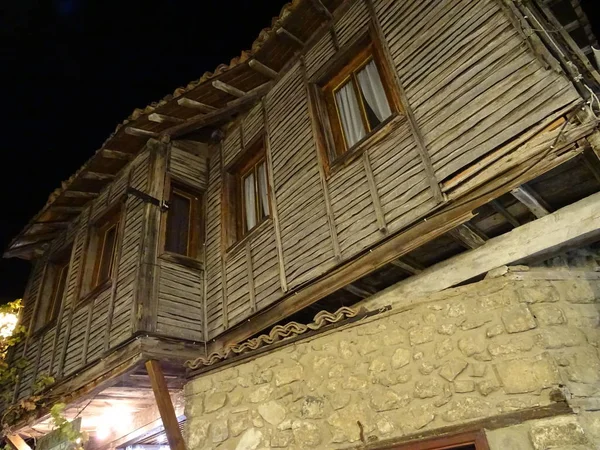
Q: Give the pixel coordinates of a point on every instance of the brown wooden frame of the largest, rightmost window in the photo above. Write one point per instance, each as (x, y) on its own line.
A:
(349, 60)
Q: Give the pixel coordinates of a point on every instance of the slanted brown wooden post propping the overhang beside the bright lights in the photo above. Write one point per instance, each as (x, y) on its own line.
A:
(165, 406)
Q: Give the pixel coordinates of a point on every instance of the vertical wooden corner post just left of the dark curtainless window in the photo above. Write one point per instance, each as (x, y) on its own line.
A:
(145, 298)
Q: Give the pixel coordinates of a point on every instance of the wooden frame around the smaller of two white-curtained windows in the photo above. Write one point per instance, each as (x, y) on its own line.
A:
(234, 217)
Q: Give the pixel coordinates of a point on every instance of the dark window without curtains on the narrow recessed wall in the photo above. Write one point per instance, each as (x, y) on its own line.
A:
(184, 222)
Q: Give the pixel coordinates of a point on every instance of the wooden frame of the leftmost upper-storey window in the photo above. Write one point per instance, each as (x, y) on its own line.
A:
(57, 267)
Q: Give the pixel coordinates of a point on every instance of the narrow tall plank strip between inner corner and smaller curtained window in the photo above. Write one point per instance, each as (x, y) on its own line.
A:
(214, 292)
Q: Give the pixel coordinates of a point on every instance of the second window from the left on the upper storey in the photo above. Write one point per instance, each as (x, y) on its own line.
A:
(103, 243)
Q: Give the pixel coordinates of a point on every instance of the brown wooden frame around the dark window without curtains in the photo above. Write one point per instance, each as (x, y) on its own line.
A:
(196, 223)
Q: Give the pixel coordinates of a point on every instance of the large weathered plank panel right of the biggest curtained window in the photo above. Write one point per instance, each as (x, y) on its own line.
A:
(468, 77)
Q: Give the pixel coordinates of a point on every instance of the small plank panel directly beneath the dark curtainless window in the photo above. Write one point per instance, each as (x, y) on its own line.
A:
(180, 294)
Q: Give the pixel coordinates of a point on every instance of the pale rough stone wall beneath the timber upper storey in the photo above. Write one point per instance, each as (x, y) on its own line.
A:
(493, 349)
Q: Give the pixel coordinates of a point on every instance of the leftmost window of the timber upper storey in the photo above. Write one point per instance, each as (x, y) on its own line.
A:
(53, 290)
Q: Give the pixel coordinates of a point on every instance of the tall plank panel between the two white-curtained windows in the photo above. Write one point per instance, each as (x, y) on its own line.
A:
(305, 234)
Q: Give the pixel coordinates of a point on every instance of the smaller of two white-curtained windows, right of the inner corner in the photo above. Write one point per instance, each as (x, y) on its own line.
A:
(247, 192)
